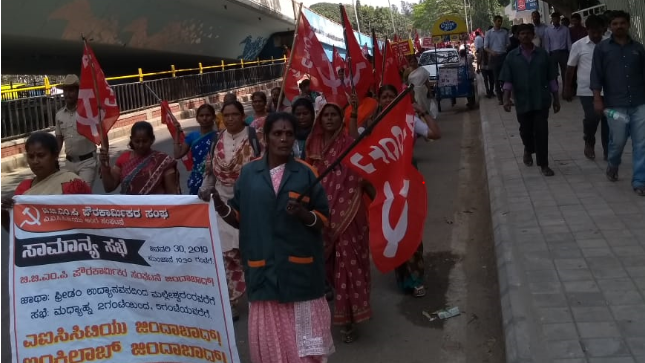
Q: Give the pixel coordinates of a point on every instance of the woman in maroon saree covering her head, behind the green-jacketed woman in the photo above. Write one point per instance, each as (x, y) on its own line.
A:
(347, 259)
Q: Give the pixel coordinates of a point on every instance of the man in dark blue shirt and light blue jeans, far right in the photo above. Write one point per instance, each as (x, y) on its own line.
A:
(618, 70)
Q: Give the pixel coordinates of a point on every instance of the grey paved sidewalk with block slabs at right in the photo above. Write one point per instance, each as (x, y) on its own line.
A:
(570, 248)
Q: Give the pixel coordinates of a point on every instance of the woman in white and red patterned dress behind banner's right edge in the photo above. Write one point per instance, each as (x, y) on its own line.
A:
(237, 145)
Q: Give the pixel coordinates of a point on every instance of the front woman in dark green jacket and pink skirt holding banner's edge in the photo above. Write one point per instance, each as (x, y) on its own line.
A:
(282, 250)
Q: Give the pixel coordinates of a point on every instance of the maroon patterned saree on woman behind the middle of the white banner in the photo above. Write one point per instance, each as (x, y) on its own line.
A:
(143, 175)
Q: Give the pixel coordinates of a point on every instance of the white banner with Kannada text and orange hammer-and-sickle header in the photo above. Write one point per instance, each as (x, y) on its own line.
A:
(118, 278)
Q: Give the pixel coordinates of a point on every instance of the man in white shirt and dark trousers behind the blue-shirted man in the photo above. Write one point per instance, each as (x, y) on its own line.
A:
(580, 59)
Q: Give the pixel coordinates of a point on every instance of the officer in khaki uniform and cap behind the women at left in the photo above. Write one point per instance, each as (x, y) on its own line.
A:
(79, 151)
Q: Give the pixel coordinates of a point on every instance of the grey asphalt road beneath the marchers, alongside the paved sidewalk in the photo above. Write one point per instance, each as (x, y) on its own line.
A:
(460, 262)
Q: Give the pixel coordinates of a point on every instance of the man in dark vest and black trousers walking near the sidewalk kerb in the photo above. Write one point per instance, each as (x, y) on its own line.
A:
(531, 76)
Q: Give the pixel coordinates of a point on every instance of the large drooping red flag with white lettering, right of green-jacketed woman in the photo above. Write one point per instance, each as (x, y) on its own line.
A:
(397, 214)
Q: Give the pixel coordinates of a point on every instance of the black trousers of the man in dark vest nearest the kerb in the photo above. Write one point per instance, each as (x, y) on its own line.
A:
(534, 131)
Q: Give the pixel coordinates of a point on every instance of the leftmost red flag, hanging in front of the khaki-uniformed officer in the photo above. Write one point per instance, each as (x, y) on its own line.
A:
(92, 82)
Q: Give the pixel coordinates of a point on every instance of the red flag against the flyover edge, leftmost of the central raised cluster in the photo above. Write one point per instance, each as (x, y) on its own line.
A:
(310, 61)
